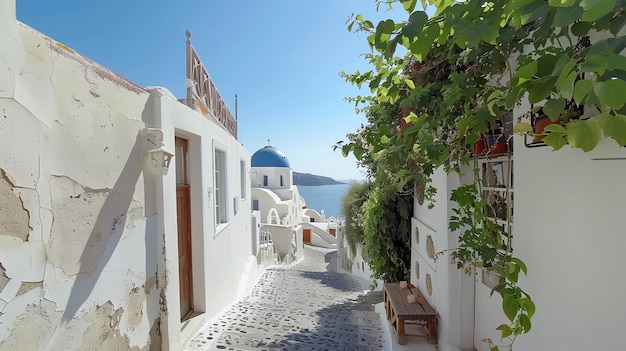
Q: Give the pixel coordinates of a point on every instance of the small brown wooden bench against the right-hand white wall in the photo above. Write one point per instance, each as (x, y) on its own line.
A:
(400, 310)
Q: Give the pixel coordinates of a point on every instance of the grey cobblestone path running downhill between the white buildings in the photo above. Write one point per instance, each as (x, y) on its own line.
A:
(307, 306)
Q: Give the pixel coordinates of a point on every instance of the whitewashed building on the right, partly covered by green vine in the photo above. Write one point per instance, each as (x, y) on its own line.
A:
(568, 227)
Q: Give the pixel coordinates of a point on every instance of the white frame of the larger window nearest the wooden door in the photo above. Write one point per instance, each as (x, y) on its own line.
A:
(220, 185)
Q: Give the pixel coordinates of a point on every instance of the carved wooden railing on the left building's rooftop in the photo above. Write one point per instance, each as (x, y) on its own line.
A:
(202, 93)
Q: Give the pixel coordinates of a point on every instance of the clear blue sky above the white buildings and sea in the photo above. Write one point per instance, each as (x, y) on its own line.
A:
(281, 57)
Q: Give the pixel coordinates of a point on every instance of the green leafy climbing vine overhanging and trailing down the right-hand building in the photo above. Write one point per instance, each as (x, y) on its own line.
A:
(465, 65)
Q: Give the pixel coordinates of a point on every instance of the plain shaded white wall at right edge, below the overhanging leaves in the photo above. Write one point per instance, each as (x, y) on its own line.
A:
(569, 225)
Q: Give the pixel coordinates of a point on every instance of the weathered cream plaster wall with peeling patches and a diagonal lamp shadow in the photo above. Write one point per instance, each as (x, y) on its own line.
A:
(74, 271)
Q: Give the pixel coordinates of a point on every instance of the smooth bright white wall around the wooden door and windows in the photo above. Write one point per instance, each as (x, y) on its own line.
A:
(220, 252)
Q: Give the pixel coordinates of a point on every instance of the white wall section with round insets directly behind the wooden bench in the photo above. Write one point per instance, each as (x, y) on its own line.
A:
(449, 287)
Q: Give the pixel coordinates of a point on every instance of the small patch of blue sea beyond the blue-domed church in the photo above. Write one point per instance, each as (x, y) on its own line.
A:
(324, 197)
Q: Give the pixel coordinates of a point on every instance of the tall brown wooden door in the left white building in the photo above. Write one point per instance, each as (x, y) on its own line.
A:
(183, 212)
